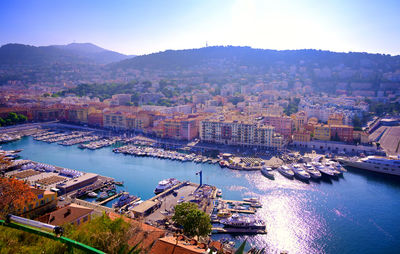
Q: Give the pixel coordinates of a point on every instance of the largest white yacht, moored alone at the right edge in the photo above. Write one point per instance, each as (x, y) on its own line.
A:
(387, 165)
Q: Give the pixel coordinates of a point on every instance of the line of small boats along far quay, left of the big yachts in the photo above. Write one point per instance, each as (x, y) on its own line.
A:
(163, 154)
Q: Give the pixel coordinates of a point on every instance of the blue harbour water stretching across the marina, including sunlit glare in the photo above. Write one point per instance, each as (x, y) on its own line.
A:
(356, 213)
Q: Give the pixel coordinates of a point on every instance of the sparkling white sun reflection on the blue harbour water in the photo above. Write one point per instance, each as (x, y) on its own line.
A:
(293, 225)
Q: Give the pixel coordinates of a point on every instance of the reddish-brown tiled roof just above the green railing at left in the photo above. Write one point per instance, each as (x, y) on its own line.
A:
(68, 214)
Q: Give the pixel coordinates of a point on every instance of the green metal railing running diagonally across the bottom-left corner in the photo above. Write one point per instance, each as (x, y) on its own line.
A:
(70, 243)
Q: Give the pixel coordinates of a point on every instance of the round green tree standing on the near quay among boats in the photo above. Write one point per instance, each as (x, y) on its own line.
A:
(193, 221)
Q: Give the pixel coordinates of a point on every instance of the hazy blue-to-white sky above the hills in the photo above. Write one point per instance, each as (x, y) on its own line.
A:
(141, 27)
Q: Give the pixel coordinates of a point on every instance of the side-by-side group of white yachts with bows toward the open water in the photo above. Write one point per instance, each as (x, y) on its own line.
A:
(306, 171)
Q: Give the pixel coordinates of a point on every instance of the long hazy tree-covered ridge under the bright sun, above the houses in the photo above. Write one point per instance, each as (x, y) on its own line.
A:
(246, 56)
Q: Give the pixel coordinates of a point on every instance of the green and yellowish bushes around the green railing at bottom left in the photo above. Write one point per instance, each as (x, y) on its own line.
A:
(102, 233)
